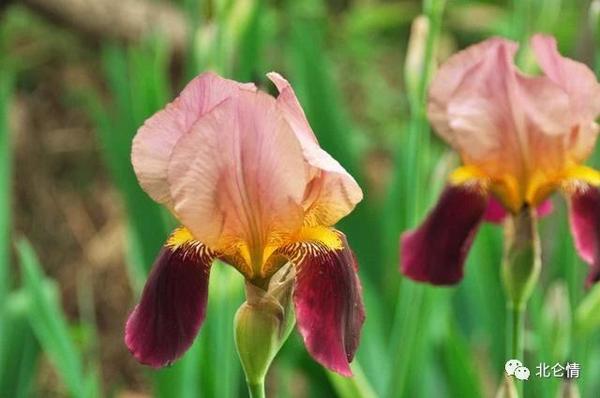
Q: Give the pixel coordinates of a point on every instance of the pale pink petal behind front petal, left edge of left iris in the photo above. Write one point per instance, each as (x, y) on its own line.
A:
(155, 140)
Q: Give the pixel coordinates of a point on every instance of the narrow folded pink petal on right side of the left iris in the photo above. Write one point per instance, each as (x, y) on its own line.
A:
(333, 193)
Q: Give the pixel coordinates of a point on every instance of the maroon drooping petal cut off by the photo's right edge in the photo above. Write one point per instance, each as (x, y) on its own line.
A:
(585, 226)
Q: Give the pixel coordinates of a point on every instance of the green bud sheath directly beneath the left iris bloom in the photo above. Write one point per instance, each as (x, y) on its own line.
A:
(263, 323)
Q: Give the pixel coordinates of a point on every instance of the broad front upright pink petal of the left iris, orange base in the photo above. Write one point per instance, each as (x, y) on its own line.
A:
(239, 175)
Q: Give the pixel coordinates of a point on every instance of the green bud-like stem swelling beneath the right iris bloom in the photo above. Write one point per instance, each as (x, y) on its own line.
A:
(521, 261)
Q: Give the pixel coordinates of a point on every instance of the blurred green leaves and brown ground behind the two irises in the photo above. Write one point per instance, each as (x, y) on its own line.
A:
(77, 234)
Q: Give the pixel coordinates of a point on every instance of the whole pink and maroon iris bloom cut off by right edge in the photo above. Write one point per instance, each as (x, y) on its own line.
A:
(520, 139)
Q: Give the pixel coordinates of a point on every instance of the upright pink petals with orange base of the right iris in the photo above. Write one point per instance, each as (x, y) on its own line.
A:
(515, 127)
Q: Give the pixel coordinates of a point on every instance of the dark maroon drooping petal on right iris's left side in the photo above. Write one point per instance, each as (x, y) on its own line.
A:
(435, 252)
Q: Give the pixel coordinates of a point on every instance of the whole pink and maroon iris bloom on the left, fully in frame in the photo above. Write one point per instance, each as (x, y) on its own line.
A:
(244, 174)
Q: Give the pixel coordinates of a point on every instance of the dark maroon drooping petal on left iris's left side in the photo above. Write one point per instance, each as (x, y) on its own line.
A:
(173, 305)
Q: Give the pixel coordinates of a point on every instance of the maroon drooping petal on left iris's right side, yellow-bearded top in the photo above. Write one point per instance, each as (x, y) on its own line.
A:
(328, 303)
